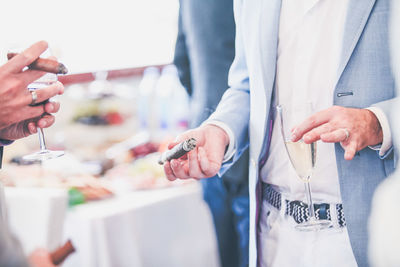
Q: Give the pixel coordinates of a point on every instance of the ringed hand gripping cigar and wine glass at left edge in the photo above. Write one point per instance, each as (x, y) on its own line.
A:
(18, 118)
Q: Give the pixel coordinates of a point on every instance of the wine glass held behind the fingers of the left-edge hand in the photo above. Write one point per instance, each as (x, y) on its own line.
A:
(43, 153)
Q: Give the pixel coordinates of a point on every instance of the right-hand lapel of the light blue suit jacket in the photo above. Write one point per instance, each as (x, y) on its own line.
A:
(357, 17)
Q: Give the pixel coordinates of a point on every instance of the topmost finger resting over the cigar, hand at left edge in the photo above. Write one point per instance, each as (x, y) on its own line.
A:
(17, 63)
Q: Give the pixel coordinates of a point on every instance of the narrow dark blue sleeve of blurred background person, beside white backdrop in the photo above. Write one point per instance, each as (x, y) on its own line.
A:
(181, 58)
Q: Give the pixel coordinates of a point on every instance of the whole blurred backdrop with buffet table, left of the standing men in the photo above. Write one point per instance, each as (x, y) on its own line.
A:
(107, 194)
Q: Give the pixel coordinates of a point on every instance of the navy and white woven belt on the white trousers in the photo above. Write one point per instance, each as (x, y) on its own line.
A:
(299, 210)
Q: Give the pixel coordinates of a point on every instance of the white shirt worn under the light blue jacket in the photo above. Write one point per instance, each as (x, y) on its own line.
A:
(309, 49)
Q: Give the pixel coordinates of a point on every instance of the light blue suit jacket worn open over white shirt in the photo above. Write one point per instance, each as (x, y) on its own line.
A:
(364, 71)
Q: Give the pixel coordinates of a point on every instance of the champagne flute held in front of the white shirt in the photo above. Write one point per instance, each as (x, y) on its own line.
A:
(303, 158)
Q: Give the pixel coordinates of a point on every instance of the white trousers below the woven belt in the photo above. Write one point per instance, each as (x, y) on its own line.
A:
(281, 245)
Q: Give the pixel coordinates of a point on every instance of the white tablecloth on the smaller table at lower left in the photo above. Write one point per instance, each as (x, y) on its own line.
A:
(36, 216)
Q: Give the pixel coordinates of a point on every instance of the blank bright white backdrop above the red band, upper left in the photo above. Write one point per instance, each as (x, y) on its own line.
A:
(94, 35)
